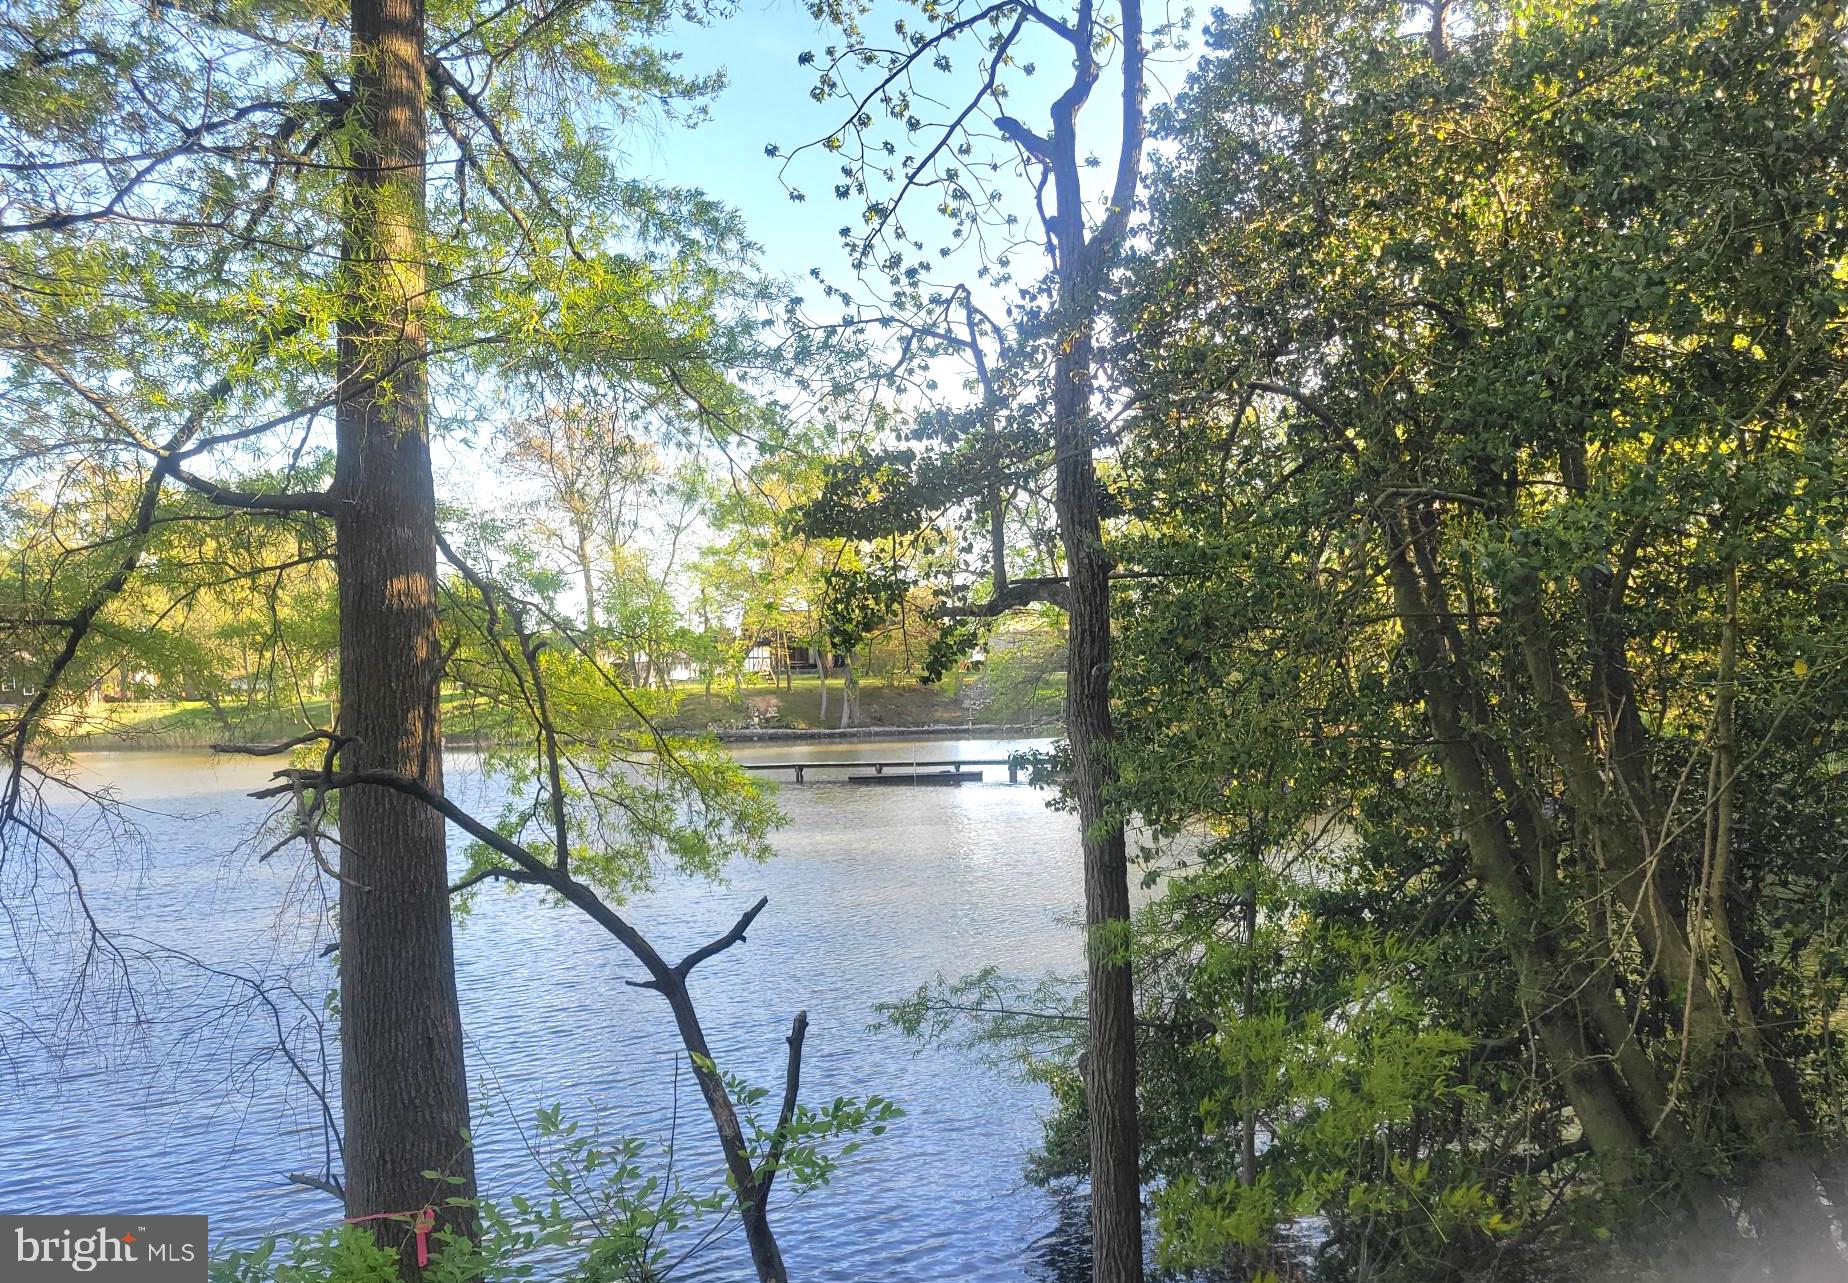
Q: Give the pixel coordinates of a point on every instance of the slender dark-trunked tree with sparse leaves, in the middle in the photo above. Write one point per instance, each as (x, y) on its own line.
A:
(1082, 241)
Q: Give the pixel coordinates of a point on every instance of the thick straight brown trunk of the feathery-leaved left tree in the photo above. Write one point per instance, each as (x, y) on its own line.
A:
(404, 1082)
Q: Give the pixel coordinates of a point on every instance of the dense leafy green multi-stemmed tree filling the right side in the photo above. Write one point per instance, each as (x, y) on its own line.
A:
(1487, 406)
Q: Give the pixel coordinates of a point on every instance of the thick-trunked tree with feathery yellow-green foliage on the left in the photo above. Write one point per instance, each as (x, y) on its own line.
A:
(217, 232)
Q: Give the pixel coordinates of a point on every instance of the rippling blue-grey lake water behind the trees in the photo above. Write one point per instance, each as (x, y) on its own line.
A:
(164, 1101)
